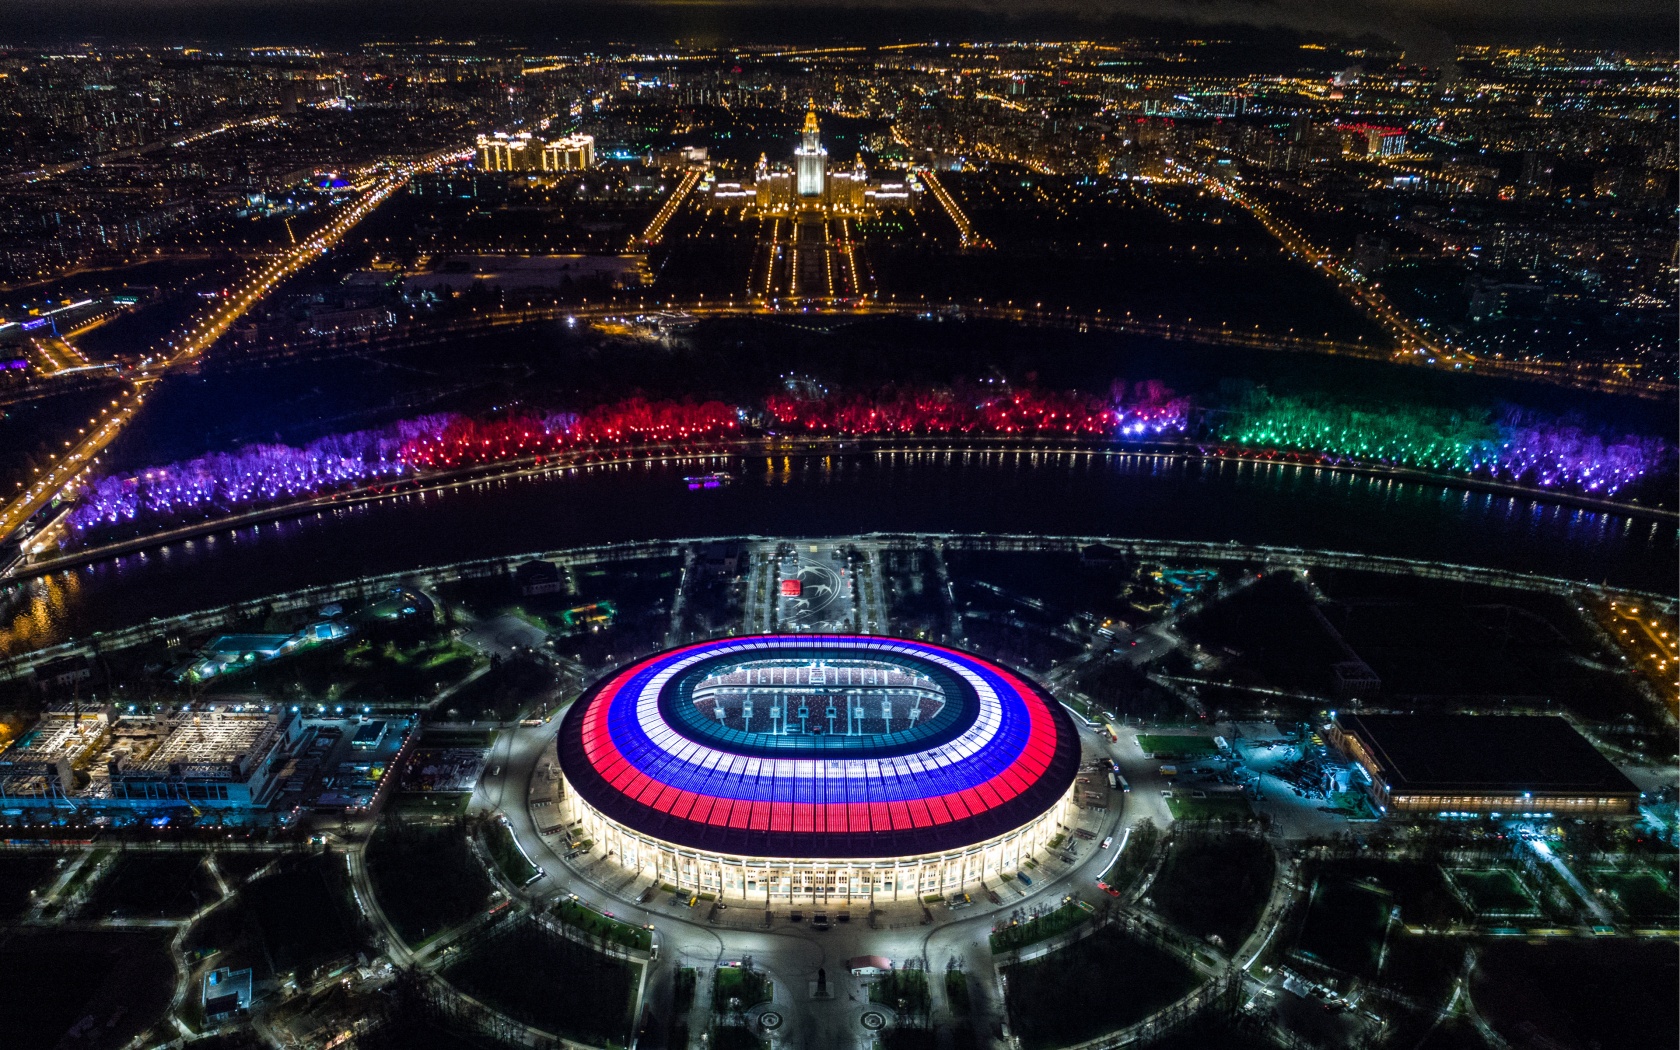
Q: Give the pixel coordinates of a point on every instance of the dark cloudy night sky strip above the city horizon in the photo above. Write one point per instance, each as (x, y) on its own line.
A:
(1425, 28)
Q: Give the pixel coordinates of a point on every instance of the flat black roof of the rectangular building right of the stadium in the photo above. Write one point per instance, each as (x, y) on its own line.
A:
(1484, 753)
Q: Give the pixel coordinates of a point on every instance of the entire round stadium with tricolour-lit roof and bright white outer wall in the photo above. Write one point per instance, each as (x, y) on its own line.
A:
(819, 767)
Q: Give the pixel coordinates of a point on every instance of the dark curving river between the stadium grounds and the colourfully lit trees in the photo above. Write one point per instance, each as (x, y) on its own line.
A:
(792, 495)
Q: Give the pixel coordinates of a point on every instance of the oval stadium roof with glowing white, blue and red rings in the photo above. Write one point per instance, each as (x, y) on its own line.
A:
(984, 759)
